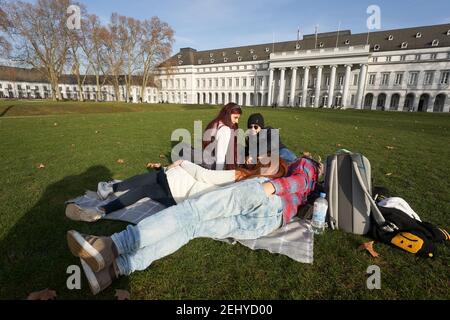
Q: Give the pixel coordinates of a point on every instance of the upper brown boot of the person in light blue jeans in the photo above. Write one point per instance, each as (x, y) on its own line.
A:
(97, 252)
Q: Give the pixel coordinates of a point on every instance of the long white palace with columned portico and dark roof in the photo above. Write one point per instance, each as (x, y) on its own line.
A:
(397, 70)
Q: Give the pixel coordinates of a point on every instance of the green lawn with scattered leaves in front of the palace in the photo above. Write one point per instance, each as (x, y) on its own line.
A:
(79, 144)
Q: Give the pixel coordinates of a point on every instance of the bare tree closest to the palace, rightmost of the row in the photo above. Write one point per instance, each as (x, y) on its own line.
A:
(155, 48)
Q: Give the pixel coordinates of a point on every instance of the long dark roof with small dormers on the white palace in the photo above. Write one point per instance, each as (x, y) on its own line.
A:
(388, 40)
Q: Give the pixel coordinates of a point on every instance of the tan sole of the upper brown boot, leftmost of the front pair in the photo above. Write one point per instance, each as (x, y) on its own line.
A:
(79, 247)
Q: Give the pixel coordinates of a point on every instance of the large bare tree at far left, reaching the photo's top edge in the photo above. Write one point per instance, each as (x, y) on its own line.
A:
(40, 36)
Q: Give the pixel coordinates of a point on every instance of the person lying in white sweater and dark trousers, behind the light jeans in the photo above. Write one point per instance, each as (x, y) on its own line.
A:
(181, 180)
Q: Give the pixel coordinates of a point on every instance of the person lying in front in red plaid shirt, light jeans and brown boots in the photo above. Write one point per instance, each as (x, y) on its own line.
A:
(248, 209)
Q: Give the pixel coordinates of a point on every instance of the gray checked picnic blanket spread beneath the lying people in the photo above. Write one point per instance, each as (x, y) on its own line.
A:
(294, 240)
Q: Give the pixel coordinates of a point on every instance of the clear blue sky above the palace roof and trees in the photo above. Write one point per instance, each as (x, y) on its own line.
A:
(208, 24)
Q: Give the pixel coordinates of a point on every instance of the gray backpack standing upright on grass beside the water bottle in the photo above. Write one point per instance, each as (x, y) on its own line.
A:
(348, 184)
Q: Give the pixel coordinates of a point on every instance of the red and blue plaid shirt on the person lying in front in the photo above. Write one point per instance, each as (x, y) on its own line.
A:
(296, 186)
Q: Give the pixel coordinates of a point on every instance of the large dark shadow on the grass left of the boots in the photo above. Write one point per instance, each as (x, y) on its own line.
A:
(34, 253)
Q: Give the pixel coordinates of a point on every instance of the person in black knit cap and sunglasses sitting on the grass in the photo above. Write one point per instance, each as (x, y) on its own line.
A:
(255, 124)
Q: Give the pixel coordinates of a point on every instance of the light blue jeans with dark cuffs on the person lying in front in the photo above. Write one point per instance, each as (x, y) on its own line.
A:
(241, 211)
